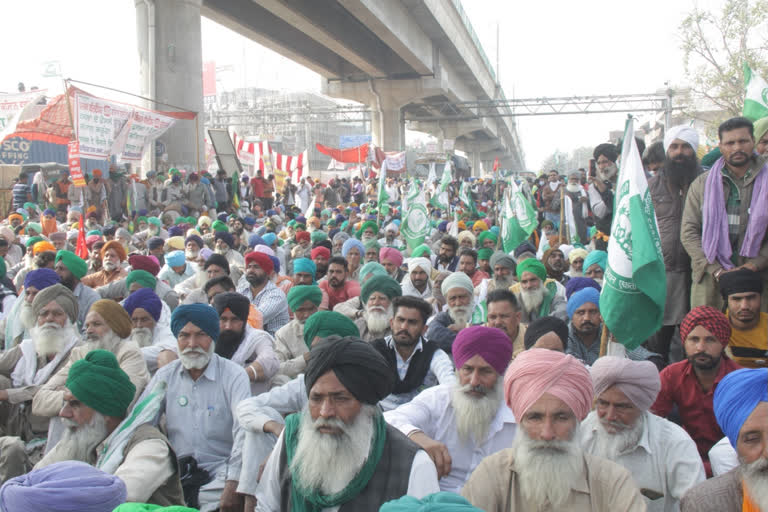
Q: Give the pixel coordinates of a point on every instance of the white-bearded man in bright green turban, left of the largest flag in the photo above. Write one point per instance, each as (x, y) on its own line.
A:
(538, 296)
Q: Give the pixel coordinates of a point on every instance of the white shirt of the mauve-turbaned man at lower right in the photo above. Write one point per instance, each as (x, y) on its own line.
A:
(665, 460)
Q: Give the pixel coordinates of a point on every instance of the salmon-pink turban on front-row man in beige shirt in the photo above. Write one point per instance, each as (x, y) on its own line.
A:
(538, 371)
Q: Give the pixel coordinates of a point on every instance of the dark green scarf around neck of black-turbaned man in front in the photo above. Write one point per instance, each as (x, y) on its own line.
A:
(305, 500)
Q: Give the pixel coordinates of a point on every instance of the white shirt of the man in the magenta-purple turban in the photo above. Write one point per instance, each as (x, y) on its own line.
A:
(432, 413)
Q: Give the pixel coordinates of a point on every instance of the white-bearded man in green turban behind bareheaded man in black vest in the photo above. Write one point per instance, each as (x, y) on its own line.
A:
(377, 294)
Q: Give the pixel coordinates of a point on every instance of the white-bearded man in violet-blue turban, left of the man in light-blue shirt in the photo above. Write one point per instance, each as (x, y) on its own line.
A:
(157, 344)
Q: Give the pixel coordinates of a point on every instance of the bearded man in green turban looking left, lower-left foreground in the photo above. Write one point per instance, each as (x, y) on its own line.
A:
(96, 400)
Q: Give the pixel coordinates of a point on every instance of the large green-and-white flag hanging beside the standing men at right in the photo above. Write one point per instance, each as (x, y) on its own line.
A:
(635, 283)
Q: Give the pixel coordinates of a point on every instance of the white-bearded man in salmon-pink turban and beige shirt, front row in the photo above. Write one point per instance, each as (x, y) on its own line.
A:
(545, 469)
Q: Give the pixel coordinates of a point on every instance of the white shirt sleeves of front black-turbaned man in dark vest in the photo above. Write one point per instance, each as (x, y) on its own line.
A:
(421, 482)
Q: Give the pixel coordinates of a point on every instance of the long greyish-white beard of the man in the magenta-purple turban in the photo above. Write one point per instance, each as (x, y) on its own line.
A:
(474, 415)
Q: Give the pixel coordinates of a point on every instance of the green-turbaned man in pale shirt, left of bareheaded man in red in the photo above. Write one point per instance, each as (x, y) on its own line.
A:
(304, 302)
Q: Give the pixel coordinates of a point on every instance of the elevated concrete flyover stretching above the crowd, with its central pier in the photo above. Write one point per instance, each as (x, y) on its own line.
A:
(402, 58)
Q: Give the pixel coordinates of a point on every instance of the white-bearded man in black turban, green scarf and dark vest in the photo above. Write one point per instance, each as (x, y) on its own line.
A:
(339, 454)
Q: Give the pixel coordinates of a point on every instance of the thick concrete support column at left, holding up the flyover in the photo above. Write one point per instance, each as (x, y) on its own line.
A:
(171, 60)
